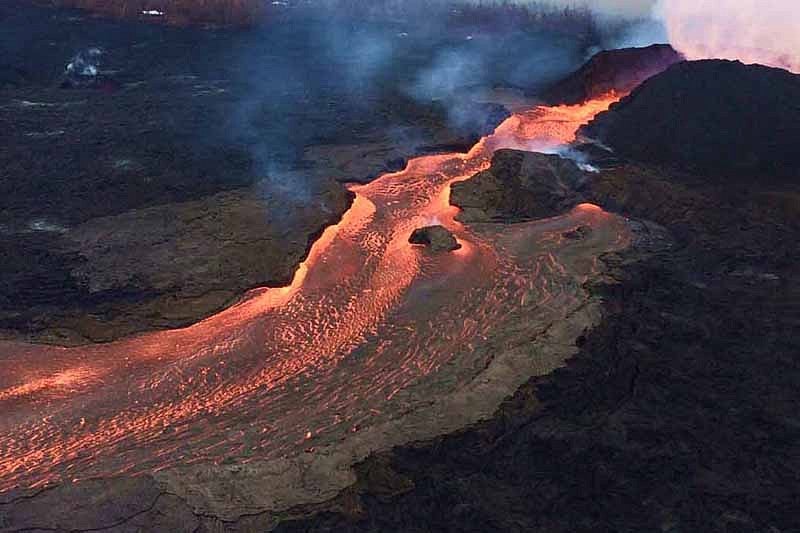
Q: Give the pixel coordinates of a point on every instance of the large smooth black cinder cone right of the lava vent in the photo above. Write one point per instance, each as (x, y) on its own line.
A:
(714, 118)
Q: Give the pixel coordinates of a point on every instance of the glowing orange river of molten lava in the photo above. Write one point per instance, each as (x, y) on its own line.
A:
(370, 328)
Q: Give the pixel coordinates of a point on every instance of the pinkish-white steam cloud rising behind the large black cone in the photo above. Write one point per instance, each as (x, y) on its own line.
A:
(753, 31)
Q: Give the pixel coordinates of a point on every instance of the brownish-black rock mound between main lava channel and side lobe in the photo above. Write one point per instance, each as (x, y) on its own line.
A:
(519, 186)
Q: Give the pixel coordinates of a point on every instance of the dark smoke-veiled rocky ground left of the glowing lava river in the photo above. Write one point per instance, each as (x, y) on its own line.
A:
(119, 130)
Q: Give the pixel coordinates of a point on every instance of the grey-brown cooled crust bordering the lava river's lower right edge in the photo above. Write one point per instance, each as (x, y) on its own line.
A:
(251, 493)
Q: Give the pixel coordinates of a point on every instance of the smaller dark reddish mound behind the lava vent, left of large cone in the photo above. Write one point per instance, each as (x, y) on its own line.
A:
(612, 70)
